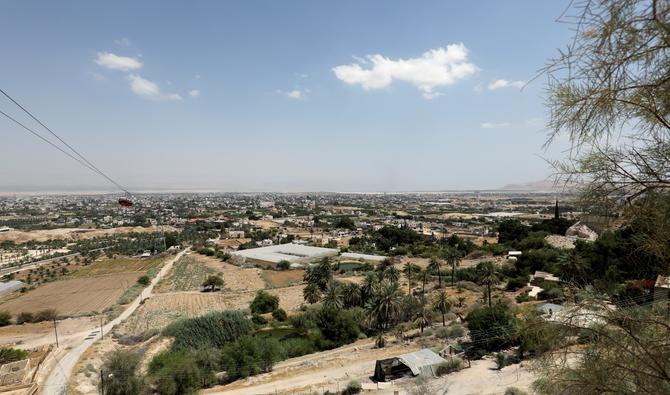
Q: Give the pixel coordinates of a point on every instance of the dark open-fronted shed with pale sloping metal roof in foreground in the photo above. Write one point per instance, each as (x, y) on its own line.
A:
(423, 362)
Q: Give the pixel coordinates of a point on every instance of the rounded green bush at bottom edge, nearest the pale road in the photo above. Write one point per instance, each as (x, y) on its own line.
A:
(120, 373)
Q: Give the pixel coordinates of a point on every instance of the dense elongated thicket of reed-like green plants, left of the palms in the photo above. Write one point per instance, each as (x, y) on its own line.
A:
(211, 330)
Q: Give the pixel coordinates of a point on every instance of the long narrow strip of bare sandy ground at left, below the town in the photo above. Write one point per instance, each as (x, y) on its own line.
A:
(18, 236)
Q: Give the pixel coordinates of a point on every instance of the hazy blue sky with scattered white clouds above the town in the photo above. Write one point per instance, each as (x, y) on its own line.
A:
(279, 95)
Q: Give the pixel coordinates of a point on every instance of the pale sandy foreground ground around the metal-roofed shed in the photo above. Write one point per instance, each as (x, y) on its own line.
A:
(332, 370)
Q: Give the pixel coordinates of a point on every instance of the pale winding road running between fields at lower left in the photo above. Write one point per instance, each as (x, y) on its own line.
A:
(56, 382)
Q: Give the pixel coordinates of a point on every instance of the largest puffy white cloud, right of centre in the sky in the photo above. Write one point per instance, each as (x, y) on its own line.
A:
(435, 68)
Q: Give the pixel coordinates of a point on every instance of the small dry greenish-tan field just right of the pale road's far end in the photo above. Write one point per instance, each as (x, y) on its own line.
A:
(187, 274)
